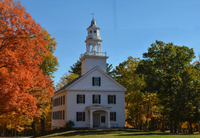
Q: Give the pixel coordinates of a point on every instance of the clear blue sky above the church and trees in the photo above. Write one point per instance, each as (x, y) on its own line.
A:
(128, 27)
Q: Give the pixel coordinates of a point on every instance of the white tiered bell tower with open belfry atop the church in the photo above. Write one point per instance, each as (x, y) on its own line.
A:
(93, 56)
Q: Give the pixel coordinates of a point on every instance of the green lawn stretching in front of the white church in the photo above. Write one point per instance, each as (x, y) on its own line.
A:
(122, 133)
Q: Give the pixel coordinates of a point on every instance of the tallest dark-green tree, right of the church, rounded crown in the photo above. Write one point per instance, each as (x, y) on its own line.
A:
(162, 66)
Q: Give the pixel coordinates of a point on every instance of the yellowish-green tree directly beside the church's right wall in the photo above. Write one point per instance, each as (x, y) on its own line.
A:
(140, 105)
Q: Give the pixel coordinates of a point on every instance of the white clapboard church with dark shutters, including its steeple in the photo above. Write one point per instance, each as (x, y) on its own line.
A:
(93, 99)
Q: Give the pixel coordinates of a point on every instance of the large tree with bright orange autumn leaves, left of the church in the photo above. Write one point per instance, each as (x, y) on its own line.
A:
(23, 87)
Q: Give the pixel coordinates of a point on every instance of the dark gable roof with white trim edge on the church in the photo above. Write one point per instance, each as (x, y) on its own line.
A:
(85, 75)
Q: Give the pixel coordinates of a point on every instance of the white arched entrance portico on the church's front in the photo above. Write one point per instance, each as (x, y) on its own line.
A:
(98, 116)
